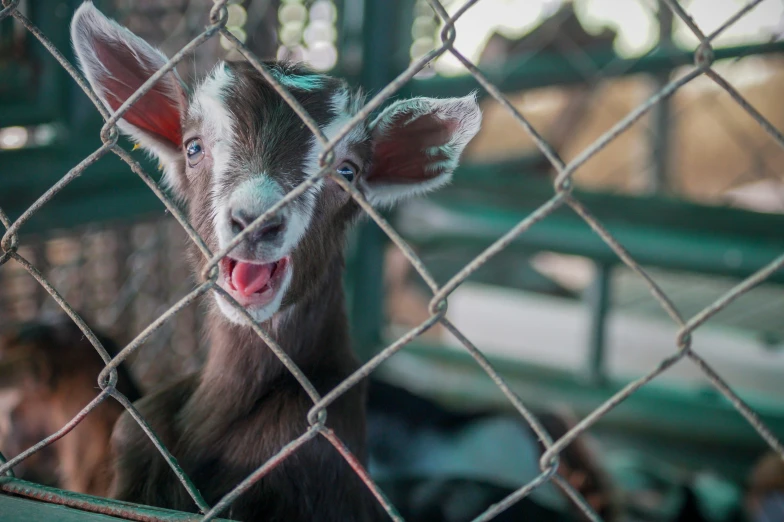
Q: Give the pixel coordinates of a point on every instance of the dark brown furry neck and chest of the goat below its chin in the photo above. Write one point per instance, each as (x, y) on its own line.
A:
(243, 408)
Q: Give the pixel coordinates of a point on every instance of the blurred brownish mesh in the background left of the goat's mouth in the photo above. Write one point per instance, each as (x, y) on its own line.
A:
(119, 277)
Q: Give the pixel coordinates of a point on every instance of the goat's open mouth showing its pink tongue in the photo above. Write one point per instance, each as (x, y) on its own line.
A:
(253, 284)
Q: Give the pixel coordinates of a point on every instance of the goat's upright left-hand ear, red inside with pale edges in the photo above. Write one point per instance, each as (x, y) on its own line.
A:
(116, 63)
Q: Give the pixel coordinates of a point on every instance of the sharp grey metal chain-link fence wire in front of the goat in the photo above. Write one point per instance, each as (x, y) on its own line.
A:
(562, 195)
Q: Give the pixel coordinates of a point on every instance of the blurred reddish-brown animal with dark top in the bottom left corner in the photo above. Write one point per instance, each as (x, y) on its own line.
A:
(50, 374)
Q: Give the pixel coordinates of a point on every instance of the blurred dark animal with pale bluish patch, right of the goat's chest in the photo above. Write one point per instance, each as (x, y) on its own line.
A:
(401, 422)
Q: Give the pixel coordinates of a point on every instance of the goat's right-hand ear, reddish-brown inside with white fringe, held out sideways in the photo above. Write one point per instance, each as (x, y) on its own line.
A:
(416, 146)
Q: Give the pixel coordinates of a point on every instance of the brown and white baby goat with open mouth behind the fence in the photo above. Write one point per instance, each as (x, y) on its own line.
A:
(231, 148)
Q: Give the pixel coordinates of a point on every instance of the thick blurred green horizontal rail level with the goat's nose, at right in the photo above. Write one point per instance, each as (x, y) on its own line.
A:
(657, 231)
